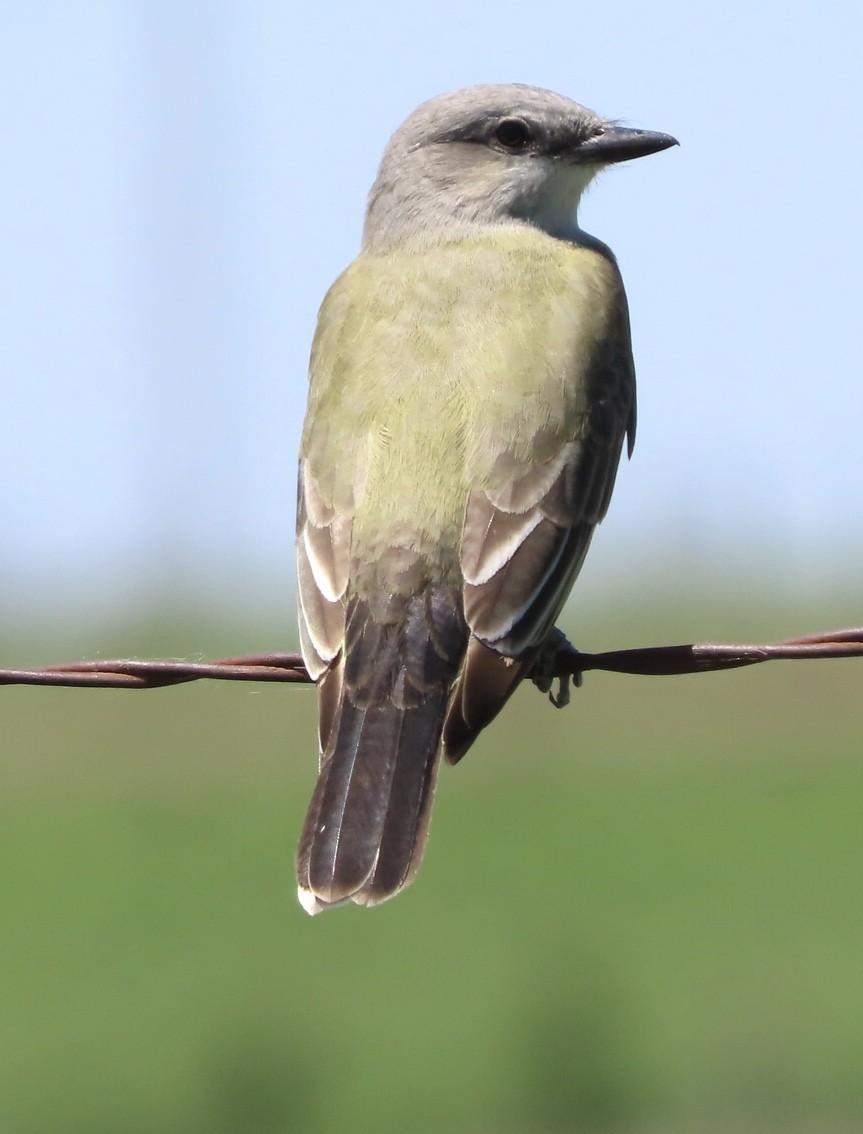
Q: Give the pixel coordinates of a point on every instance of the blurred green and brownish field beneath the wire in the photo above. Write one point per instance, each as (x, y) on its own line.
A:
(642, 915)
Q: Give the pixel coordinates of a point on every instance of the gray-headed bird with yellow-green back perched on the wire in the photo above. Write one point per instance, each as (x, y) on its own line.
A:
(471, 386)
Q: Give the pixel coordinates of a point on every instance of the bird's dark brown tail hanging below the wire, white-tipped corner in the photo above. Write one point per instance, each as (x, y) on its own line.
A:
(383, 709)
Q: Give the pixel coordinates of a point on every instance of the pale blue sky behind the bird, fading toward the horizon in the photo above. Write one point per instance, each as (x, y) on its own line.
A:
(182, 183)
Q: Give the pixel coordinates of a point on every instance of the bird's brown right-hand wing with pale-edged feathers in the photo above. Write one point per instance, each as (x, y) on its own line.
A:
(526, 538)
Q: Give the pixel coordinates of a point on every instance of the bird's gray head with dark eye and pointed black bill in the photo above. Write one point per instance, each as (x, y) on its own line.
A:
(495, 155)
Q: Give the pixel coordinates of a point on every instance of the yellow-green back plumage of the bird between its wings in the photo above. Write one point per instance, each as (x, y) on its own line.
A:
(427, 374)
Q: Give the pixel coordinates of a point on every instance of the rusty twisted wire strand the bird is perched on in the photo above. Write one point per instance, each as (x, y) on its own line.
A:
(665, 661)
